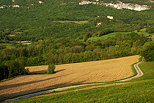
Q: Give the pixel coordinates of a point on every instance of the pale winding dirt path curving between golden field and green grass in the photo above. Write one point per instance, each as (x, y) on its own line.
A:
(138, 70)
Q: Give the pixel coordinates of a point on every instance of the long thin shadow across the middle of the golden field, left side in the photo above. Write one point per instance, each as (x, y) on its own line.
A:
(20, 84)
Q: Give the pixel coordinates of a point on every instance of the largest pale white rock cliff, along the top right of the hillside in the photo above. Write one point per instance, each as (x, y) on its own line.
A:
(118, 5)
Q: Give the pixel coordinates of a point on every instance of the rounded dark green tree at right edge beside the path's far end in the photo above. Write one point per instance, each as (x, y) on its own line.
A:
(148, 51)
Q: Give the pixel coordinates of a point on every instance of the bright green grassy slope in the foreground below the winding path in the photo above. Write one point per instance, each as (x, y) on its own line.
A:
(139, 90)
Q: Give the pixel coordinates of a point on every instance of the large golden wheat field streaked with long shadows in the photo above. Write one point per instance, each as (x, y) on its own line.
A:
(95, 71)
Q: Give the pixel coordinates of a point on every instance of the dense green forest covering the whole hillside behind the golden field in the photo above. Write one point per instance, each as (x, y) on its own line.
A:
(62, 31)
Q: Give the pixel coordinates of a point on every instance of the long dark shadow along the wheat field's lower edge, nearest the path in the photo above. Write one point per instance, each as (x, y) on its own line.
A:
(9, 96)
